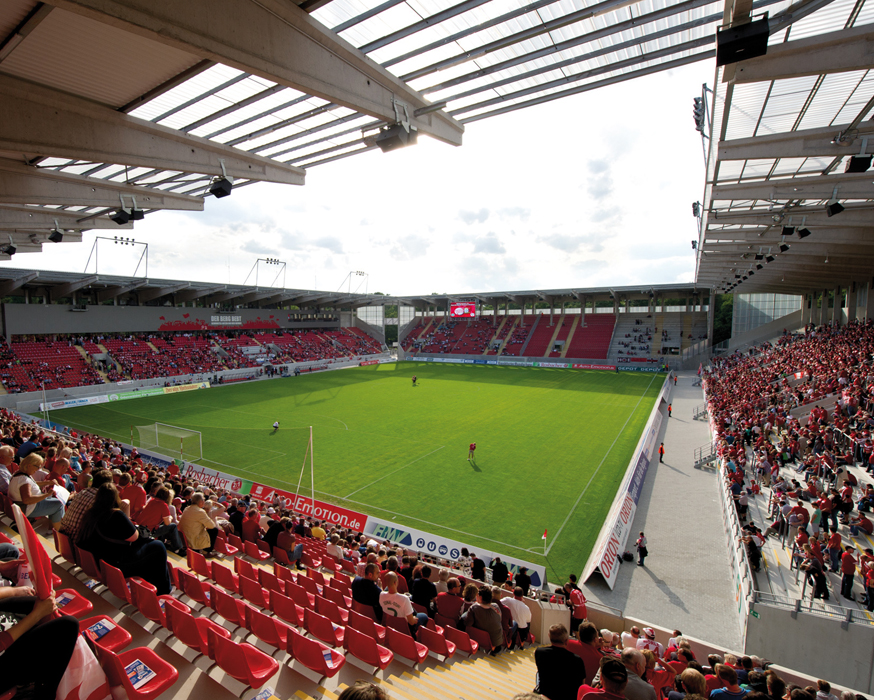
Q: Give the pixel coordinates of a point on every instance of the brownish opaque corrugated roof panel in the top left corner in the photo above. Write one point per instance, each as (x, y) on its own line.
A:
(94, 60)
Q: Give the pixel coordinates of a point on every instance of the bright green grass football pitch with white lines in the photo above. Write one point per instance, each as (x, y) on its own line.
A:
(552, 445)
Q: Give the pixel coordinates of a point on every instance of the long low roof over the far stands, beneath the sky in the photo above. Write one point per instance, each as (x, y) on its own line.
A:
(104, 288)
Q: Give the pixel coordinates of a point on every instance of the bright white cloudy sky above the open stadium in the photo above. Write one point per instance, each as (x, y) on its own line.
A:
(591, 190)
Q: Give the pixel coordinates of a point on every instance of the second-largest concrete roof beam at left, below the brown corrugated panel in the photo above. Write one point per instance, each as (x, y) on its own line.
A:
(40, 121)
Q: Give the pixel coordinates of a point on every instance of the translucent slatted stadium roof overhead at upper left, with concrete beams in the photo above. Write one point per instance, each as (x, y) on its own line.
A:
(105, 100)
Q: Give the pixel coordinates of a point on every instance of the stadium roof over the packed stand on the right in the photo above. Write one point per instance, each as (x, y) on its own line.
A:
(785, 128)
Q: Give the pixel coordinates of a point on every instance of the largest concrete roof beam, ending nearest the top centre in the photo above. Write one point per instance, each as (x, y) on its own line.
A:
(275, 40)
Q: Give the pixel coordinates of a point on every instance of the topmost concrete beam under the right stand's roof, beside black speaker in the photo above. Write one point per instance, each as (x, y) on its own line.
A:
(835, 52)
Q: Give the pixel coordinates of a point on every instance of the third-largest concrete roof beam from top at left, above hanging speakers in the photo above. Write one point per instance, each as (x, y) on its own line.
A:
(31, 185)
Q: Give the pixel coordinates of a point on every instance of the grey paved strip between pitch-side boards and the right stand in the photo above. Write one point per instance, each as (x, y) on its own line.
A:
(686, 583)
